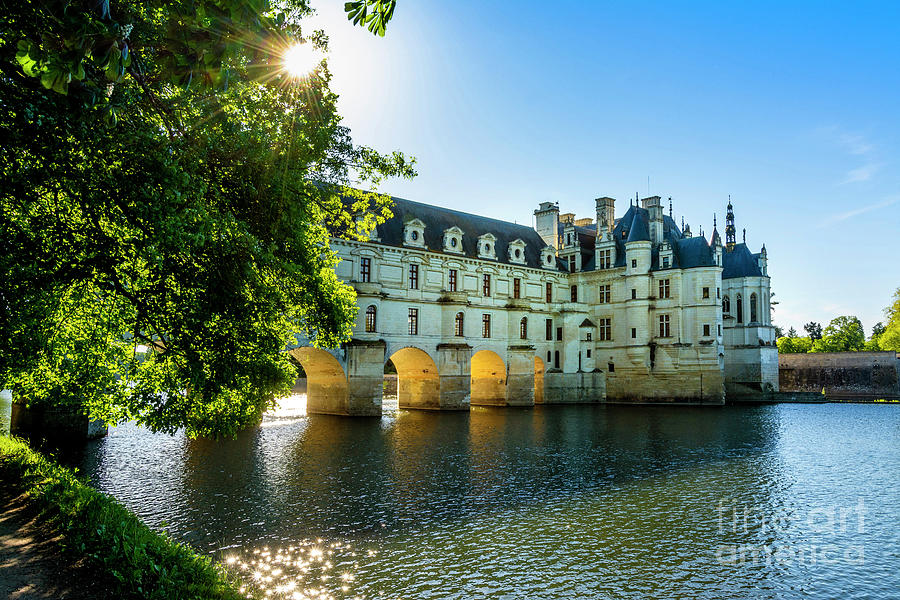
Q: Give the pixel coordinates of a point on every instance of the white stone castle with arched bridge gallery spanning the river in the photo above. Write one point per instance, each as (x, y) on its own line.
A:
(472, 310)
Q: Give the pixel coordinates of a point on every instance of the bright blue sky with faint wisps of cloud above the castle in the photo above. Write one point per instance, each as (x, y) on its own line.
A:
(792, 108)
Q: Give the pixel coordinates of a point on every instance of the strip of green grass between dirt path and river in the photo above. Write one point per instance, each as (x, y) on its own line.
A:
(139, 562)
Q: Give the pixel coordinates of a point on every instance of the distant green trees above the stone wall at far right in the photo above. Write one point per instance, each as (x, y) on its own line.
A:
(845, 334)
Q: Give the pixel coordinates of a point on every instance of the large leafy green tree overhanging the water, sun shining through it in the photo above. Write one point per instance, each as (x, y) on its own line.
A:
(168, 191)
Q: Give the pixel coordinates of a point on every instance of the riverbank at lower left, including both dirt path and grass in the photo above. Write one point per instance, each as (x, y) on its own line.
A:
(73, 542)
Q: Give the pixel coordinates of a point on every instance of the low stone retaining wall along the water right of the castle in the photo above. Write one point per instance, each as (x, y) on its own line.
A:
(843, 375)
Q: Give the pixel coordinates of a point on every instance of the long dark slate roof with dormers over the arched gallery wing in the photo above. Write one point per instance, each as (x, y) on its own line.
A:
(437, 219)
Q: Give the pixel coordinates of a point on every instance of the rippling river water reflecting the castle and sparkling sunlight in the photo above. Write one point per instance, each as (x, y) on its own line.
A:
(782, 501)
